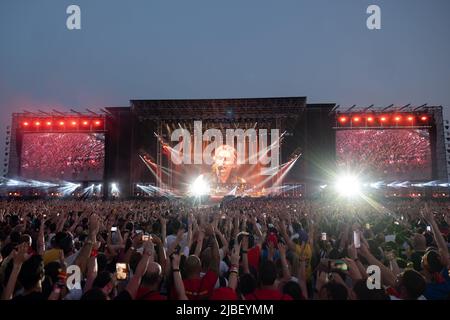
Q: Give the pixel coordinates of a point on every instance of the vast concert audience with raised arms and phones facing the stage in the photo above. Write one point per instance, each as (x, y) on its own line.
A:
(238, 249)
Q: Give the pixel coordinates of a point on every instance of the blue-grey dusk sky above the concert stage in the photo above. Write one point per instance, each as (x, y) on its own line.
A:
(152, 49)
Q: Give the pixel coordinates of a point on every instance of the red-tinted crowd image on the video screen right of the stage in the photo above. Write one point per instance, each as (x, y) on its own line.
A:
(386, 154)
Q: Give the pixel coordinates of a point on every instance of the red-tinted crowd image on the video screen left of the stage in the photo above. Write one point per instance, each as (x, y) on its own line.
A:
(71, 157)
